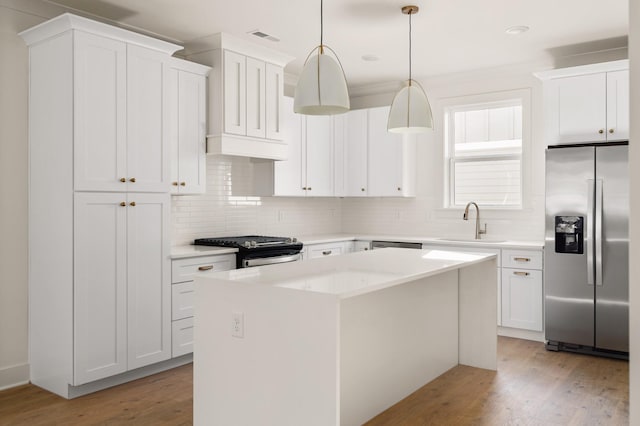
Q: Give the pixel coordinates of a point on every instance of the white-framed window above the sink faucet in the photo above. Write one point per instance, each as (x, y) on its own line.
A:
(483, 146)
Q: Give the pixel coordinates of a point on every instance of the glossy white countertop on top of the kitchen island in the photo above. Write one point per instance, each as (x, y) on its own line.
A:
(354, 274)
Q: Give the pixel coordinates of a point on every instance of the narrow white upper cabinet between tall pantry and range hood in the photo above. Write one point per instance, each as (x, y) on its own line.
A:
(185, 97)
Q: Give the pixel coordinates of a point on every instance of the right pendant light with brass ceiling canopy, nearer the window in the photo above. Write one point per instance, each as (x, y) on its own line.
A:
(410, 111)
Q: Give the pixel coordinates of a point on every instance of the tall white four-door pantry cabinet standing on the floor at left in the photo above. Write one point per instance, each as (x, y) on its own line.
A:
(99, 204)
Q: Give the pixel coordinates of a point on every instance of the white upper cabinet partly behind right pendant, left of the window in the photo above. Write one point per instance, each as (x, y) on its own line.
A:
(377, 163)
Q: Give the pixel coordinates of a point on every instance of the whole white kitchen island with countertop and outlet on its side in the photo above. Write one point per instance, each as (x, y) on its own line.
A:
(337, 340)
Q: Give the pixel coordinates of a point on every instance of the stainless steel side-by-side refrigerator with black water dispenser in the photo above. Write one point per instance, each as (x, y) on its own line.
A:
(586, 263)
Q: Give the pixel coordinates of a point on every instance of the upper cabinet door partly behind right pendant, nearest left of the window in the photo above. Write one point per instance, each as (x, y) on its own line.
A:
(385, 156)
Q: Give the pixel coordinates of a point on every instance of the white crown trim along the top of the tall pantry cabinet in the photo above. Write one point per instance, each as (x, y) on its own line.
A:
(69, 21)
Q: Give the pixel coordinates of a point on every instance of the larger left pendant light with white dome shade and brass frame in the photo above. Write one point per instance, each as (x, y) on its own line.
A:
(322, 87)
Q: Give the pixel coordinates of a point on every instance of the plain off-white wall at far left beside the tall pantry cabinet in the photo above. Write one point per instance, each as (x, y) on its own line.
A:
(15, 16)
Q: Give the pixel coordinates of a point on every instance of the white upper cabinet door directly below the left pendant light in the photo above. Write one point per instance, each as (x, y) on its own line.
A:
(319, 155)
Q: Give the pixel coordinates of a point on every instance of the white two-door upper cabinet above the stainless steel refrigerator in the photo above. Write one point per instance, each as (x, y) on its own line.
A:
(587, 104)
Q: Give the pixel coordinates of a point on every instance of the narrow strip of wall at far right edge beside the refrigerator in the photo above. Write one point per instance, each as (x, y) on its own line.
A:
(634, 254)
